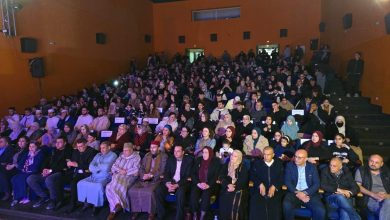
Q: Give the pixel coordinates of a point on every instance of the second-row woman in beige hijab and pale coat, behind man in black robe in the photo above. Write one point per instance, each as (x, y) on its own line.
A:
(255, 143)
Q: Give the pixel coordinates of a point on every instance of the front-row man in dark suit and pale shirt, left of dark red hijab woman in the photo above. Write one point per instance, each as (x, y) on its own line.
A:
(176, 181)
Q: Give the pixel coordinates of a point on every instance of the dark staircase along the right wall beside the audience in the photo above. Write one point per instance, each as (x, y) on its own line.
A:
(371, 125)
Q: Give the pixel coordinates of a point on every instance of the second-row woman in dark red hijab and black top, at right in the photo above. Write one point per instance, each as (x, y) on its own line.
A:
(317, 150)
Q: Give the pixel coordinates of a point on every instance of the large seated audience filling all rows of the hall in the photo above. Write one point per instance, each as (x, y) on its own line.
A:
(253, 133)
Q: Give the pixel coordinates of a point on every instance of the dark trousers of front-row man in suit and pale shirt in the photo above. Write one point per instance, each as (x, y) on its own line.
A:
(162, 192)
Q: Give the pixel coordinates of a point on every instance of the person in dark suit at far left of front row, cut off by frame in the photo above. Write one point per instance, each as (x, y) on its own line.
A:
(6, 154)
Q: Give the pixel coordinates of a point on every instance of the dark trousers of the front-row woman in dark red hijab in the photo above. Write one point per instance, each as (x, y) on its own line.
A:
(203, 195)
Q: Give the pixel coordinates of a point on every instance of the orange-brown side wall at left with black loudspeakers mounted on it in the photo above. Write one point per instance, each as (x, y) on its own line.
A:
(74, 60)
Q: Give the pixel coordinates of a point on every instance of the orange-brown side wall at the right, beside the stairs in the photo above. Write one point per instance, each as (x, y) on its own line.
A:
(367, 35)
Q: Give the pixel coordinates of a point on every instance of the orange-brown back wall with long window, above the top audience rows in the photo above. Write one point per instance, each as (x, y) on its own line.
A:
(263, 19)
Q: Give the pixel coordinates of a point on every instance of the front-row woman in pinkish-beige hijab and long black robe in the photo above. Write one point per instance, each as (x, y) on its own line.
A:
(234, 187)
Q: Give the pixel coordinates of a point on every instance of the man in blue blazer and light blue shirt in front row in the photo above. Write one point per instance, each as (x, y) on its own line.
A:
(303, 182)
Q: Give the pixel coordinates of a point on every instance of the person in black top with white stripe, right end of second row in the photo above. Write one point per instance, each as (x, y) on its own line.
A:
(343, 151)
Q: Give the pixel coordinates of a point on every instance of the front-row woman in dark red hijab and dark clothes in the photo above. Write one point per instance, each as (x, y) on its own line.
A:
(204, 177)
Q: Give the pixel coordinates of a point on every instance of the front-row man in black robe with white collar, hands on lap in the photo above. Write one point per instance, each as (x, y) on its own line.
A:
(266, 194)
